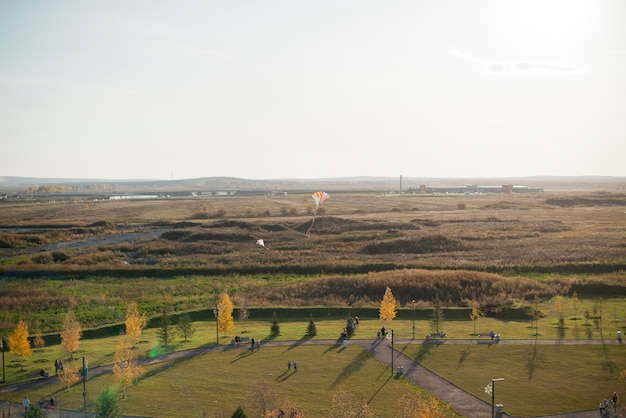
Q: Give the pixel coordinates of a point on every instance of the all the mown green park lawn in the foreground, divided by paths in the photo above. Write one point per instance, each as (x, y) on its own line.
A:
(216, 383)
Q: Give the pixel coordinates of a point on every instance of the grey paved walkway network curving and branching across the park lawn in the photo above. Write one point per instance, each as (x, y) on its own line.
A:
(461, 401)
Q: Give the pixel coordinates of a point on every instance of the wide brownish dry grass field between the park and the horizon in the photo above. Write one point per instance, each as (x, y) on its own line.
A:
(496, 249)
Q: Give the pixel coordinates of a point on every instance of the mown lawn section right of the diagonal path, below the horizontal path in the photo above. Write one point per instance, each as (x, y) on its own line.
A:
(538, 379)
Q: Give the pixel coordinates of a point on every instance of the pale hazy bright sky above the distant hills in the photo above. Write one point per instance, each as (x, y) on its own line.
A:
(150, 89)
